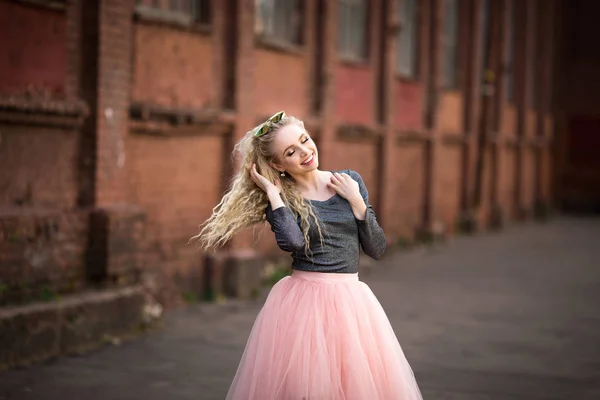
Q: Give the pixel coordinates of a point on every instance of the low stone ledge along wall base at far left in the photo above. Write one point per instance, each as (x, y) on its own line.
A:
(72, 325)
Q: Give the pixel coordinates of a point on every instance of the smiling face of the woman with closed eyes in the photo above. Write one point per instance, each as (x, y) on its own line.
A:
(294, 151)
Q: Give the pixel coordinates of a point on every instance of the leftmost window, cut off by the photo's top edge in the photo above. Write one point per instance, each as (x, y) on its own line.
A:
(183, 11)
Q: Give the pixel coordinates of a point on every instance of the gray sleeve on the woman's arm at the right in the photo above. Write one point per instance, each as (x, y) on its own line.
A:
(371, 235)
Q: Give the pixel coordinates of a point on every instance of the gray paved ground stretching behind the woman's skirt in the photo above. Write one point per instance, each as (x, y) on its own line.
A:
(514, 315)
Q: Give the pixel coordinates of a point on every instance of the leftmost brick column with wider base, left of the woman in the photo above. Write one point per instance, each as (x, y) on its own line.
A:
(116, 228)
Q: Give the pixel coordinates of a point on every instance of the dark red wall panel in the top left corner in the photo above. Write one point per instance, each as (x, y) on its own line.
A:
(33, 41)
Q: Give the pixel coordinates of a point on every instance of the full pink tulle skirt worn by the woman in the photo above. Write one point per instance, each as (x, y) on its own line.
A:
(323, 336)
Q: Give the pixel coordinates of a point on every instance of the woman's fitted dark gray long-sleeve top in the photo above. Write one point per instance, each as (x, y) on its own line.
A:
(342, 234)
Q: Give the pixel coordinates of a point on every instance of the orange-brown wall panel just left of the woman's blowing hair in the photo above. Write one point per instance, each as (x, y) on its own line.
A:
(178, 182)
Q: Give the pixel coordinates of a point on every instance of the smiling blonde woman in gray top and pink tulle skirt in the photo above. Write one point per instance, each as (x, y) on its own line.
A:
(321, 333)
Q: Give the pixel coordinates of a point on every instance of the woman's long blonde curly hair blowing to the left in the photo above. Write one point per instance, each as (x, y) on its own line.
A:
(244, 203)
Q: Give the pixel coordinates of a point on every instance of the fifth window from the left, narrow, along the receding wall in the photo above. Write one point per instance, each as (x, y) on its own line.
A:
(450, 44)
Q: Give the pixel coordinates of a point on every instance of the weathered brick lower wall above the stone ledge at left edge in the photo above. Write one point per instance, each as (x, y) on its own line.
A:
(42, 253)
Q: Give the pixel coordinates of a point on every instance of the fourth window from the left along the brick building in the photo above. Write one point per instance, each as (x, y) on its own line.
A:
(409, 38)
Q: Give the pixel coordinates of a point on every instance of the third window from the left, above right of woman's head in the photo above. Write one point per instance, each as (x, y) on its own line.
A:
(352, 25)
